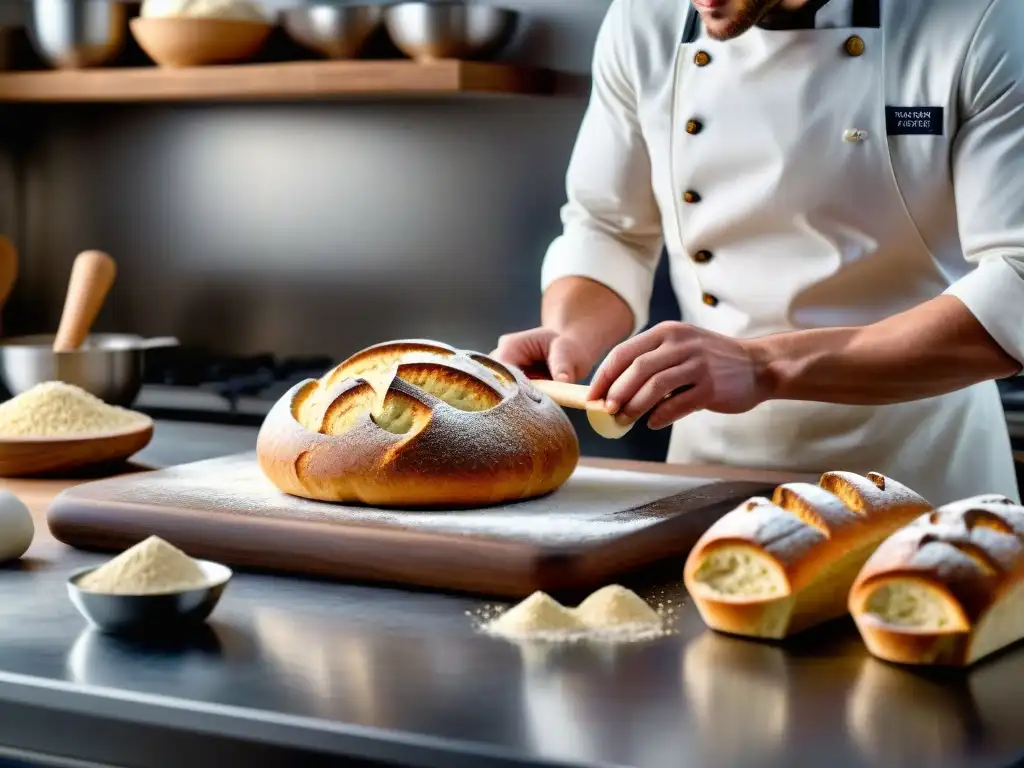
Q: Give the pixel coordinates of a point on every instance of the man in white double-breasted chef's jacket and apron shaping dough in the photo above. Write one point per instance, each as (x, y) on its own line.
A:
(840, 189)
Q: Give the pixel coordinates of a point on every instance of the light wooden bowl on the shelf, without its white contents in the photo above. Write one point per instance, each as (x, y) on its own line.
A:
(199, 42)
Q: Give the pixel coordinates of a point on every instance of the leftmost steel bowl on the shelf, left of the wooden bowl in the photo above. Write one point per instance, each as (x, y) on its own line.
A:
(75, 34)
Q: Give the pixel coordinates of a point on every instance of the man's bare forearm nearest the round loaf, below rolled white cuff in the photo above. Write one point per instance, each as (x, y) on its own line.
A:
(588, 312)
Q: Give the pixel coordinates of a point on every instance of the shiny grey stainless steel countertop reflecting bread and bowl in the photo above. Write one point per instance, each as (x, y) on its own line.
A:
(391, 674)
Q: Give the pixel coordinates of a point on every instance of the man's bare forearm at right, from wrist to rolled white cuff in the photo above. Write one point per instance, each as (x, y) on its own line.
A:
(932, 350)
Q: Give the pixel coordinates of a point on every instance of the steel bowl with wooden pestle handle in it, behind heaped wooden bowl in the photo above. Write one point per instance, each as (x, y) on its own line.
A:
(109, 366)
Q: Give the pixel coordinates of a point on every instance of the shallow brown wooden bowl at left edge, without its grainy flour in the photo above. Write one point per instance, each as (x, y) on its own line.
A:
(25, 457)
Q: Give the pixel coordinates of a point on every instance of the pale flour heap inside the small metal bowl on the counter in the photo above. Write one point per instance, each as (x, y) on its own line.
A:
(152, 567)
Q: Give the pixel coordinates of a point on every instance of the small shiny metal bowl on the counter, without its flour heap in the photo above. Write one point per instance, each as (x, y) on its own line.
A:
(151, 615)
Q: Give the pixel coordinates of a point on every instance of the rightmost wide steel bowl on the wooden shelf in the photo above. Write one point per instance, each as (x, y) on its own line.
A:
(450, 30)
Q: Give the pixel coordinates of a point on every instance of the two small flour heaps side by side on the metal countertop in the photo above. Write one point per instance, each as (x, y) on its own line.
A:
(613, 614)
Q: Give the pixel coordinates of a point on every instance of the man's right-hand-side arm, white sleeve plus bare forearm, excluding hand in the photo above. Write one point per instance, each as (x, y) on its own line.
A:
(975, 331)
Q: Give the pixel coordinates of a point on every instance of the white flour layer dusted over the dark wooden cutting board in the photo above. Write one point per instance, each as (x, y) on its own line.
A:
(593, 505)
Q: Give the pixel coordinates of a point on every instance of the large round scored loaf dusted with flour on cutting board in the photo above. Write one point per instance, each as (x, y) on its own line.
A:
(417, 424)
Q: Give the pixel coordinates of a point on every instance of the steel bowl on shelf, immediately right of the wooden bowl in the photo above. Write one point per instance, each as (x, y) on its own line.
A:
(331, 30)
